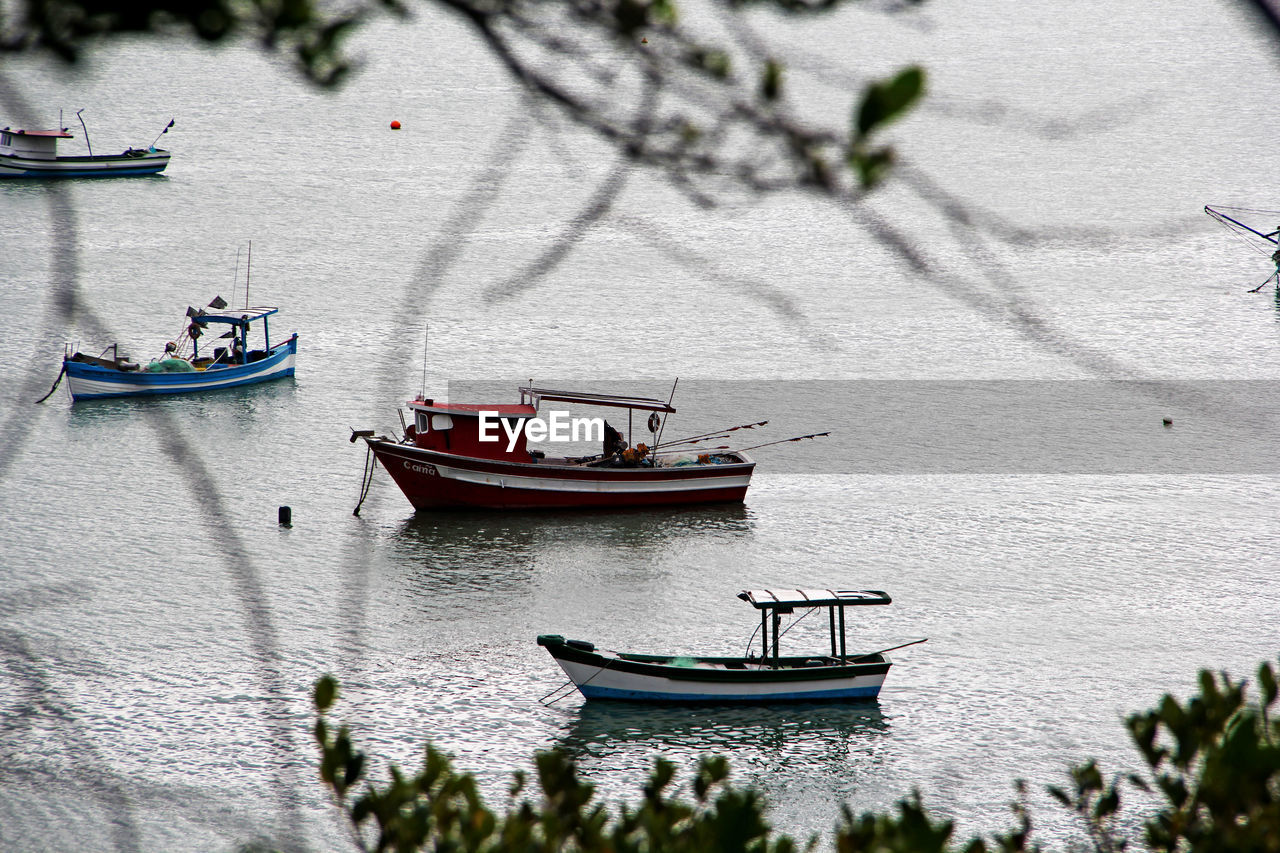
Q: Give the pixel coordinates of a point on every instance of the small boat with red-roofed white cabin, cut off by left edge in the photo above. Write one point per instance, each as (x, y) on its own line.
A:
(34, 154)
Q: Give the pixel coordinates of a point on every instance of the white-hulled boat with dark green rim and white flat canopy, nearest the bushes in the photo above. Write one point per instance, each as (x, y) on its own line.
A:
(769, 677)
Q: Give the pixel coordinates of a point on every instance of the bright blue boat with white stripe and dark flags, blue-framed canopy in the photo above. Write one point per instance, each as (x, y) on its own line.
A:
(223, 362)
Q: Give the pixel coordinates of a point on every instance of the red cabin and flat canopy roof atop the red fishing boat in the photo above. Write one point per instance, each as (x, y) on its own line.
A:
(455, 428)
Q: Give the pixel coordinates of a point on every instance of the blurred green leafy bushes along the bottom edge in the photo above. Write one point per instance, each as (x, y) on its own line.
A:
(1213, 767)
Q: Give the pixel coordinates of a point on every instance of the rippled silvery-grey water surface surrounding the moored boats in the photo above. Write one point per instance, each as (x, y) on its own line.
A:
(159, 633)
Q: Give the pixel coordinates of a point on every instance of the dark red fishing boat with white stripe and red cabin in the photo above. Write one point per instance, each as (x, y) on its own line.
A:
(461, 457)
